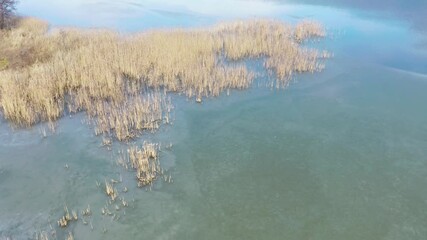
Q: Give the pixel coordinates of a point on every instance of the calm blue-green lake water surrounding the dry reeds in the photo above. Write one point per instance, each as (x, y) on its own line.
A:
(338, 155)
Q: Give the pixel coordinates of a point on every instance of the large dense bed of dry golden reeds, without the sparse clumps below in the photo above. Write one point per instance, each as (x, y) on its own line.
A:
(121, 81)
